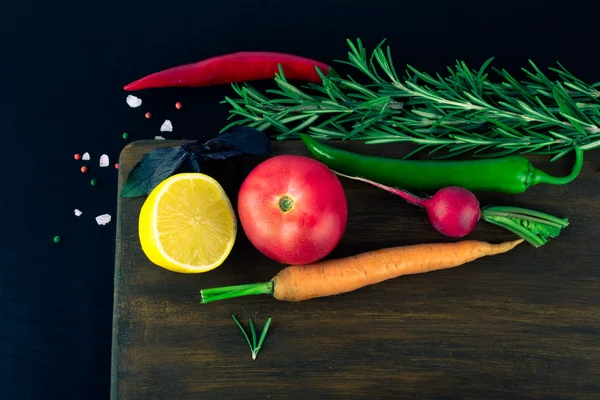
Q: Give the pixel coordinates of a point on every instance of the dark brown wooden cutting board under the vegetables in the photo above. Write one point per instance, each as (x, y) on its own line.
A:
(525, 324)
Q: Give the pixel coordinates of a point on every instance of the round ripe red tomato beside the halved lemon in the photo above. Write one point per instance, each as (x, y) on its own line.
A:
(293, 209)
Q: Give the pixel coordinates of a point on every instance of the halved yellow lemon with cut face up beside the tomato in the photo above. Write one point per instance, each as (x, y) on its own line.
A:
(187, 224)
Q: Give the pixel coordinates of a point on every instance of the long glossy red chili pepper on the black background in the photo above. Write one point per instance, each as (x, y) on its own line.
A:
(235, 67)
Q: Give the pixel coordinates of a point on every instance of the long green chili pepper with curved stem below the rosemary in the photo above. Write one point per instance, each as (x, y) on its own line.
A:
(512, 174)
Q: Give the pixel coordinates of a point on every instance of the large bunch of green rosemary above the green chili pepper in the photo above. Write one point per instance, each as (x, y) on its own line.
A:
(464, 111)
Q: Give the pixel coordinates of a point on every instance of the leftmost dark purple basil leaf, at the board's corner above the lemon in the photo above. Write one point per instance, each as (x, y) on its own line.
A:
(154, 167)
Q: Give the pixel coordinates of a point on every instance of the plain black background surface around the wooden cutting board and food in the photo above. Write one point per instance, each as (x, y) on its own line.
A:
(63, 67)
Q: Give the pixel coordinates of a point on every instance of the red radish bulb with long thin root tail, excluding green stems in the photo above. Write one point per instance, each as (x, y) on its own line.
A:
(453, 211)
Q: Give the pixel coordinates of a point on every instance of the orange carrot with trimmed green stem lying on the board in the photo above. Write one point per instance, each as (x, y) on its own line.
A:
(331, 277)
